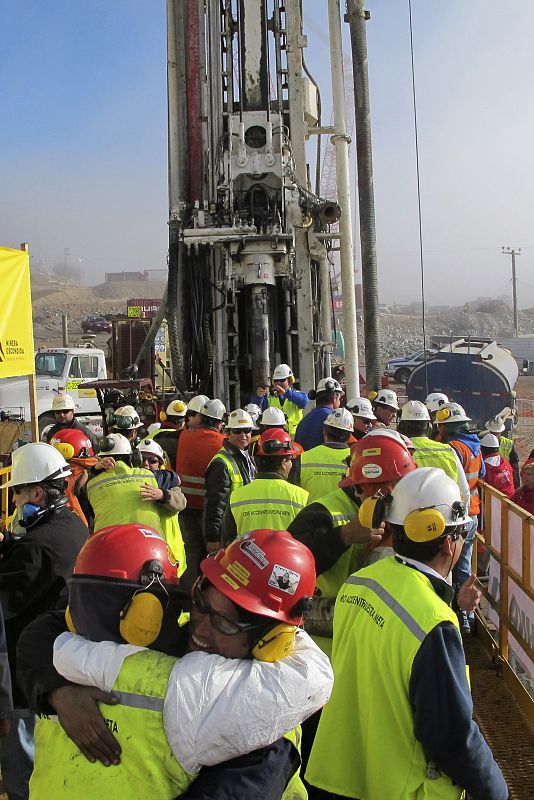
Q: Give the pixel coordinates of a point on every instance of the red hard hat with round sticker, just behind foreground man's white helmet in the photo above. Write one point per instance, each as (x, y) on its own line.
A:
(378, 459)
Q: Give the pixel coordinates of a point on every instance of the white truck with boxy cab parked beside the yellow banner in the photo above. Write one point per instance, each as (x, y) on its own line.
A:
(58, 369)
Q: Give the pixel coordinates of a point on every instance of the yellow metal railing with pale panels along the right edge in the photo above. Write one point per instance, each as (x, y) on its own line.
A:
(506, 536)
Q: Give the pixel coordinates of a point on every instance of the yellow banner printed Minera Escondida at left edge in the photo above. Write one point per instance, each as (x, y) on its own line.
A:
(16, 327)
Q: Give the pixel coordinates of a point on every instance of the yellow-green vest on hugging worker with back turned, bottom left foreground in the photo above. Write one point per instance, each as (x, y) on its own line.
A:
(148, 767)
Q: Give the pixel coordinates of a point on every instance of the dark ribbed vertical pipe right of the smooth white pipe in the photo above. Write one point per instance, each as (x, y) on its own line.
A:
(357, 18)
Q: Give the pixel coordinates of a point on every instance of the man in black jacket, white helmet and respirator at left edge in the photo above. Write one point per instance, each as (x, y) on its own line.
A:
(37, 559)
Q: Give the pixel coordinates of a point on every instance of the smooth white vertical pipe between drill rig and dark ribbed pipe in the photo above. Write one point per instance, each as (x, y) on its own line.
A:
(341, 140)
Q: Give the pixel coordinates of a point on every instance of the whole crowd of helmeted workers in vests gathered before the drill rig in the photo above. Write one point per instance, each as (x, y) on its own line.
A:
(180, 605)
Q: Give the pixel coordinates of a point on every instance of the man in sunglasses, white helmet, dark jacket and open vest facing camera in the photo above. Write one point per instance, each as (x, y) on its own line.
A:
(229, 468)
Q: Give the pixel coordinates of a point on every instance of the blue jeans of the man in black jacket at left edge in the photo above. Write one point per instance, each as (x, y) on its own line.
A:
(16, 756)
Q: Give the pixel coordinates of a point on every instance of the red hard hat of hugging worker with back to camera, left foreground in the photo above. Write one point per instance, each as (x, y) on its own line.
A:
(126, 553)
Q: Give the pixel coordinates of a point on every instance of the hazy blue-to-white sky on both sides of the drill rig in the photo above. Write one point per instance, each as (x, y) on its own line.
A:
(83, 137)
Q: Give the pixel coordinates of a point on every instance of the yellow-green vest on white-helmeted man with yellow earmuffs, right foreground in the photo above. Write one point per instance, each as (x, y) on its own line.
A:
(383, 614)
